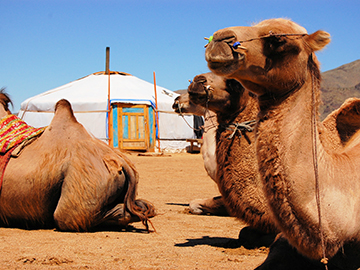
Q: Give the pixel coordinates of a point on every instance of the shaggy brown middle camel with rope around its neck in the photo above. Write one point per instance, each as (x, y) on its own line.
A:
(237, 172)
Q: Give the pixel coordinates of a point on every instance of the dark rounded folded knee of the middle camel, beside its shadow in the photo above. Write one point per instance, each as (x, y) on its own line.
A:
(251, 238)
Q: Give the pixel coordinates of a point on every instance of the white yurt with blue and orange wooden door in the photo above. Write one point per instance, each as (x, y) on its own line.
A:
(133, 122)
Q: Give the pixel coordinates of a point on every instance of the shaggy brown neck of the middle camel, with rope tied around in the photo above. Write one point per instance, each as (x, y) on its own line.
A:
(237, 176)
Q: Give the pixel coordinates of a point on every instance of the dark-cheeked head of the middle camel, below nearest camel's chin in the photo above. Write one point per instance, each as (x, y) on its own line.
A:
(217, 93)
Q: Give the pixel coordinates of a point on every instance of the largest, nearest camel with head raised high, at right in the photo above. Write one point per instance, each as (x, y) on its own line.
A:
(302, 172)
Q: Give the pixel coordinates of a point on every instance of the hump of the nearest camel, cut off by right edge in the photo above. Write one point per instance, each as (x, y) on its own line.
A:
(347, 119)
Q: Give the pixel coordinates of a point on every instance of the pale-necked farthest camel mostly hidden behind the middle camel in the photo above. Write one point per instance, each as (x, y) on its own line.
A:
(215, 206)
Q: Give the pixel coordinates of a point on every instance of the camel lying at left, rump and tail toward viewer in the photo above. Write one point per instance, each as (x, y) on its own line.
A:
(67, 179)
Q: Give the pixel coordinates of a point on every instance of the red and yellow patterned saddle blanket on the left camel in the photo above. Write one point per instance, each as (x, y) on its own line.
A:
(13, 131)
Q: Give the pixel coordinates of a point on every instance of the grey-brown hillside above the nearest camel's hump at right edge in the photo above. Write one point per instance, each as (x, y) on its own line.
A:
(339, 84)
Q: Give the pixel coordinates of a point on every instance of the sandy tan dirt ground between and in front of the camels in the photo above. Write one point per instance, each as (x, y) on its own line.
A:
(181, 240)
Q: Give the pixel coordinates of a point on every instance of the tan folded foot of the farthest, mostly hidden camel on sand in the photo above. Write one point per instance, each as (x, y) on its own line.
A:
(213, 206)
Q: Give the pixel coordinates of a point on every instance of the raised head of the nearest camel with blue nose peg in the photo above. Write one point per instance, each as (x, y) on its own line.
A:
(271, 57)
